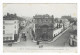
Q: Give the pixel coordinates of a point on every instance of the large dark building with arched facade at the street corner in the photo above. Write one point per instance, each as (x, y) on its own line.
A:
(44, 25)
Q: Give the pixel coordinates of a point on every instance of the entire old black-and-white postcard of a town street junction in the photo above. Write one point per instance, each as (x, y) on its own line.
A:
(39, 27)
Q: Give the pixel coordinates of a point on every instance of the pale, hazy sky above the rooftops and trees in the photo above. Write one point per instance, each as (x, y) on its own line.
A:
(29, 10)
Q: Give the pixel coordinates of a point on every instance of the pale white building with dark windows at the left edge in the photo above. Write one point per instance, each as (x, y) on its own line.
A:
(10, 30)
